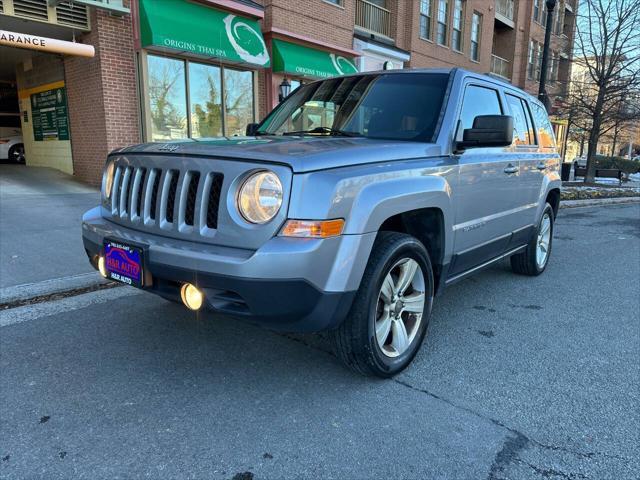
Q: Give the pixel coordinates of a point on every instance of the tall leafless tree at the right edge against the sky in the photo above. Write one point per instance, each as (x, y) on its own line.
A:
(608, 48)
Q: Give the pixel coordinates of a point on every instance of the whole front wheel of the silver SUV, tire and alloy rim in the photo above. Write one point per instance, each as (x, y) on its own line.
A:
(390, 314)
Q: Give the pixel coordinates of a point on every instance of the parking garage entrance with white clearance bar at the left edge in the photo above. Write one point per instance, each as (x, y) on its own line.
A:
(34, 116)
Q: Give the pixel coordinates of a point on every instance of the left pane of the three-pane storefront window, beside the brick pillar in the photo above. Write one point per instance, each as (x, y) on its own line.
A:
(167, 96)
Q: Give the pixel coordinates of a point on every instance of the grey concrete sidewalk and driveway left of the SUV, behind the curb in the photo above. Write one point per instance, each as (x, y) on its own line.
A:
(40, 230)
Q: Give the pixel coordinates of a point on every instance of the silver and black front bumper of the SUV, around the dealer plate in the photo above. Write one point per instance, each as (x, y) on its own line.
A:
(288, 284)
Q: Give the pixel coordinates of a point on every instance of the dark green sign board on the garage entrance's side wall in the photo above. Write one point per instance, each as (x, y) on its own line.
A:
(49, 115)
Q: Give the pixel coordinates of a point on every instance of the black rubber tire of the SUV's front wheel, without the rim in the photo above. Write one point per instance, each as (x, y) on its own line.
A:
(355, 341)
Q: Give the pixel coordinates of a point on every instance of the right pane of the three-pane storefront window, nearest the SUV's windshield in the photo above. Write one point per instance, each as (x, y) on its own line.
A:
(238, 101)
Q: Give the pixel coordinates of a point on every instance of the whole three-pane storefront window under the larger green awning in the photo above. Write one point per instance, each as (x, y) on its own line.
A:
(208, 115)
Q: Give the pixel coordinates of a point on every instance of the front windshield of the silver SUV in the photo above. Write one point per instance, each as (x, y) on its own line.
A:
(386, 106)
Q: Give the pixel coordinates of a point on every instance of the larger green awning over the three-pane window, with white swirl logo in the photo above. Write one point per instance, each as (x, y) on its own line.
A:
(190, 27)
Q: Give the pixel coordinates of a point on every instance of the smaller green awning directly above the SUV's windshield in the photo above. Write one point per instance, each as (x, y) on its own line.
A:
(309, 62)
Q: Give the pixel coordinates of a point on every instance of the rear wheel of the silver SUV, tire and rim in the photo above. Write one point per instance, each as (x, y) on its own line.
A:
(534, 259)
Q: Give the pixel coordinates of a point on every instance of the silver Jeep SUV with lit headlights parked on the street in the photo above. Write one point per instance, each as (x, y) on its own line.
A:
(347, 209)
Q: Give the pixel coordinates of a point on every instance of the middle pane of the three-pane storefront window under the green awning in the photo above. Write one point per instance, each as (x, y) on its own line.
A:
(205, 90)
